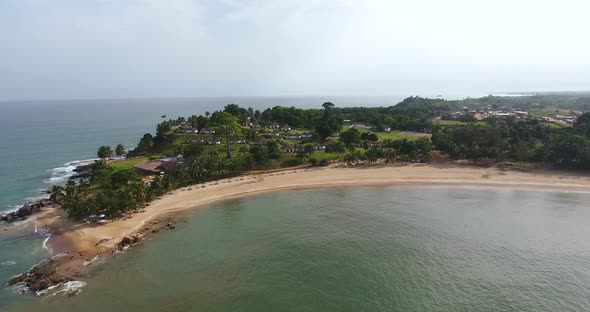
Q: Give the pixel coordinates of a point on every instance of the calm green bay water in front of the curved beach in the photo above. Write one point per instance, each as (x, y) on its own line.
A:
(366, 249)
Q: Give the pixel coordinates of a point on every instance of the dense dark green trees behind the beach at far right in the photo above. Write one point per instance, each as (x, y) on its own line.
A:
(518, 140)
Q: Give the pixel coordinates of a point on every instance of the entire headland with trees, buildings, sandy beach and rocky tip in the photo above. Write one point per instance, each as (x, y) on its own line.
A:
(493, 142)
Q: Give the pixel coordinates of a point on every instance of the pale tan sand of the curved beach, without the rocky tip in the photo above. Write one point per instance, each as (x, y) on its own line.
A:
(85, 237)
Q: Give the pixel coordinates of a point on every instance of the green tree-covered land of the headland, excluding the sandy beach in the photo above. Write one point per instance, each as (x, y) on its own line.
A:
(255, 139)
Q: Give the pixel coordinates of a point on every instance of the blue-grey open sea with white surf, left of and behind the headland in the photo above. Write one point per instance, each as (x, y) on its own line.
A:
(42, 141)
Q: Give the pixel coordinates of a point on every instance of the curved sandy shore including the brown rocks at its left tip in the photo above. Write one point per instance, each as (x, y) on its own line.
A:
(79, 243)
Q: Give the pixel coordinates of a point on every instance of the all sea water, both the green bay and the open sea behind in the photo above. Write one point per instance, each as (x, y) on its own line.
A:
(377, 249)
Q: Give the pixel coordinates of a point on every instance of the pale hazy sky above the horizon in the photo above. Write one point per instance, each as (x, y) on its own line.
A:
(77, 49)
